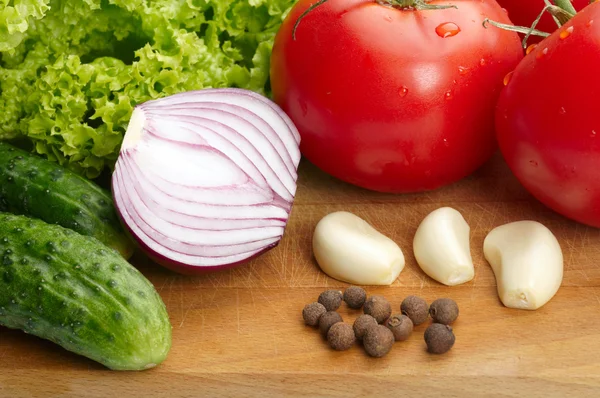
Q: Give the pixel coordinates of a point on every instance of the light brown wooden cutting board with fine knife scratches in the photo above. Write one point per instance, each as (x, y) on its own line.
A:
(240, 332)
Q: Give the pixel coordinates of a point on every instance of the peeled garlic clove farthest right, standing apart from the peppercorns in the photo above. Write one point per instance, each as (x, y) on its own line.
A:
(527, 261)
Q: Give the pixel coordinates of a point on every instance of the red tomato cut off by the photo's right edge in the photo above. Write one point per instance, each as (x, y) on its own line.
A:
(547, 119)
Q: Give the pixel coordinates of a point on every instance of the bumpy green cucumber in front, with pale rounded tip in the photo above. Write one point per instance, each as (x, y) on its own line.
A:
(74, 291)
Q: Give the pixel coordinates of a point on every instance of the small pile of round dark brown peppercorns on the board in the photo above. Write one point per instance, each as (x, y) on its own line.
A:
(377, 328)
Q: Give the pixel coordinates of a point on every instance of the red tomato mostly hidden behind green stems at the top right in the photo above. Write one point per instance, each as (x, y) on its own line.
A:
(525, 12)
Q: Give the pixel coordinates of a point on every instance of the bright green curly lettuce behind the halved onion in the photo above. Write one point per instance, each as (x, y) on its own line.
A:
(71, 71)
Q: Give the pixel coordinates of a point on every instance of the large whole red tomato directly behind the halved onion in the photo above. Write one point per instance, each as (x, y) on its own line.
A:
(394, 100)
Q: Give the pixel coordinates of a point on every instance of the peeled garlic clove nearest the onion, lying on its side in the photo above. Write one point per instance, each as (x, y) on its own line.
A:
(349, 249)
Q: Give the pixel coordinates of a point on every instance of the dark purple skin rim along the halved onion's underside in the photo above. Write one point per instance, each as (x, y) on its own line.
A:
(181, 268)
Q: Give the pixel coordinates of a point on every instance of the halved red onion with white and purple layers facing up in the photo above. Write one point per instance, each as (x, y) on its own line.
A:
(206, 179)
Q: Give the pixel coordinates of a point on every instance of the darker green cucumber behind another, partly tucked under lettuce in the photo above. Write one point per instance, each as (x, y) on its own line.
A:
(36, 187)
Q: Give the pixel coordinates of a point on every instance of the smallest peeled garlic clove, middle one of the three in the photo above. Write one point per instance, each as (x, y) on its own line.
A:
(442, 249)
